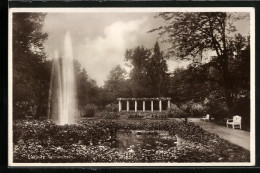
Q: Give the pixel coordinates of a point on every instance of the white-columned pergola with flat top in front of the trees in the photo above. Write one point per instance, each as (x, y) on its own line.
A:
(160, 99)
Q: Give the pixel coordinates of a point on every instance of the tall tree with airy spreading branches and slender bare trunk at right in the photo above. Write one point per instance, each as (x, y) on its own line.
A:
(192, 33)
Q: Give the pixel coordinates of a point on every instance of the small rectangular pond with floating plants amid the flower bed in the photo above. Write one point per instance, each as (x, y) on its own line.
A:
(131, 139)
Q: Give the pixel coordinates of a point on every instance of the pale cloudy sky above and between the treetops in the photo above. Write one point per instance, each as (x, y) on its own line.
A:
(100, 39)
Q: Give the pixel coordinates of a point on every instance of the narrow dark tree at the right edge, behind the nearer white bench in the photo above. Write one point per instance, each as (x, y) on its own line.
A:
(240, 73)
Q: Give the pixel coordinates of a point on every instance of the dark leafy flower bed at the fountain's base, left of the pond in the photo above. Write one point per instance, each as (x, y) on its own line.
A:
(47, 133)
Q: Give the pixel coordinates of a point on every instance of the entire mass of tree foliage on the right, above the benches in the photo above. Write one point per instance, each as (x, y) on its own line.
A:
(192, 34)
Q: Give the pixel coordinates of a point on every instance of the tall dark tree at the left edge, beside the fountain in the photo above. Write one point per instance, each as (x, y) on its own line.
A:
(31, 71)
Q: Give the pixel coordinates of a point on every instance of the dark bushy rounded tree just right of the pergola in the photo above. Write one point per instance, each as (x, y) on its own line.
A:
(194, 83)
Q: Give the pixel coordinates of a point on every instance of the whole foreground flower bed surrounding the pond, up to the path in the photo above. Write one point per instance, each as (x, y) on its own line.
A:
(94, 141)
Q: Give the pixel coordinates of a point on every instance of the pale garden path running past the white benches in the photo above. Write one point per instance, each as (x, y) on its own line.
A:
(236, 136)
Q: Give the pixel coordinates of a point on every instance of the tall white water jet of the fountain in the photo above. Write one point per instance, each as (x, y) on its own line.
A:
(62, 96)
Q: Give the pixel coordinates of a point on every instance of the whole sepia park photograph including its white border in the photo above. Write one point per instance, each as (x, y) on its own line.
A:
(131, 87)
